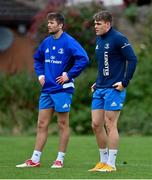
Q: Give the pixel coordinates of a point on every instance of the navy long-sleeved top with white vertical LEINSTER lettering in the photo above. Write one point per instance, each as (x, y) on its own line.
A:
(116, 59)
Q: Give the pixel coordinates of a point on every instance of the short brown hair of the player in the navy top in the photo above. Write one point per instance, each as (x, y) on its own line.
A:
(105, 16)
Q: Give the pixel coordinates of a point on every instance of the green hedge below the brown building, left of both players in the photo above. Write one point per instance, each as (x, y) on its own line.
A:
(18, 97)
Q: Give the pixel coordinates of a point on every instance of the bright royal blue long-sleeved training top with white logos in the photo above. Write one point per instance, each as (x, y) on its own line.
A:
(55, 56)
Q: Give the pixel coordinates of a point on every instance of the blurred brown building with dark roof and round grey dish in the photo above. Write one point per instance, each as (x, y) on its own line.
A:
(16, 47)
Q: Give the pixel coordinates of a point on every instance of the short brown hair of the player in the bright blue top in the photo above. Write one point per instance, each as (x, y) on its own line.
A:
(56, 16)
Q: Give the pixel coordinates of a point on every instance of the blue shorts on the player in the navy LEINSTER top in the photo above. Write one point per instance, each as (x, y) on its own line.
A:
(108, 99)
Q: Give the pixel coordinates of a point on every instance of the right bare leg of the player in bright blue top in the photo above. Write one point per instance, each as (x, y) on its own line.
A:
(63, 124)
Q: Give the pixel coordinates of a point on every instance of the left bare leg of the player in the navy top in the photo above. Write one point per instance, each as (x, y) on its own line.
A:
(98, 128)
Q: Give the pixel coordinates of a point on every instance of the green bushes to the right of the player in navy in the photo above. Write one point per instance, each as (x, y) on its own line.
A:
(136, 116)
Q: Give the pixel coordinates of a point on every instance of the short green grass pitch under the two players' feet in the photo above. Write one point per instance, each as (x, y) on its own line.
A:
(82, 154)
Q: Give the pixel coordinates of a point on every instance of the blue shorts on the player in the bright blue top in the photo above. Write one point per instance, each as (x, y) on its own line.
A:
(60, 102)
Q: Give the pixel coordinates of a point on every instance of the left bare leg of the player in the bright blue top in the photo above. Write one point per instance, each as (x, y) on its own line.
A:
(44, 119)
